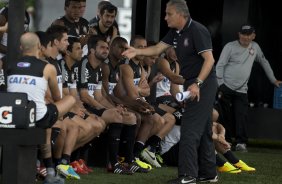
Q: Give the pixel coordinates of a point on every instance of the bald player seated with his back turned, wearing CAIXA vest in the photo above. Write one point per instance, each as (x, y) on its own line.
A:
(33, 76)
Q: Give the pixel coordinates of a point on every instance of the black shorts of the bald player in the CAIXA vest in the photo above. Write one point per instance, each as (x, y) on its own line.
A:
(50, 117)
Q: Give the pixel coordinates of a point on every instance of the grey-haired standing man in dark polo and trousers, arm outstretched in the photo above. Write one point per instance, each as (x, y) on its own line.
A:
(193, 46)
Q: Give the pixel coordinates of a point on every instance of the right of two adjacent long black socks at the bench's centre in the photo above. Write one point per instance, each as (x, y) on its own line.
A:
(128, 134)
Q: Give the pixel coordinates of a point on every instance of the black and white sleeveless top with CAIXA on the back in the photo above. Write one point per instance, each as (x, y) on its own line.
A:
(26, 75)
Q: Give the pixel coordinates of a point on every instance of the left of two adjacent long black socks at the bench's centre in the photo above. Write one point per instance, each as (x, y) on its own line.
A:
(113, 141)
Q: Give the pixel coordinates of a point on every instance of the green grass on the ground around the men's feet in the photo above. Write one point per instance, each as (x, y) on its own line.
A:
(268, 163)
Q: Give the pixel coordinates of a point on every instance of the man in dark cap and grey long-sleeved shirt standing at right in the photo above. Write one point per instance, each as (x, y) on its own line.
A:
(233, 71)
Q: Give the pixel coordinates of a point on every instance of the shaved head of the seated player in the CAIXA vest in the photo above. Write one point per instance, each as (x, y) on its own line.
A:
(29, 42)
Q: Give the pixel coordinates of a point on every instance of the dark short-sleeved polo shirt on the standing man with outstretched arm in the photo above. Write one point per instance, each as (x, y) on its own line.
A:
(189, 43)
